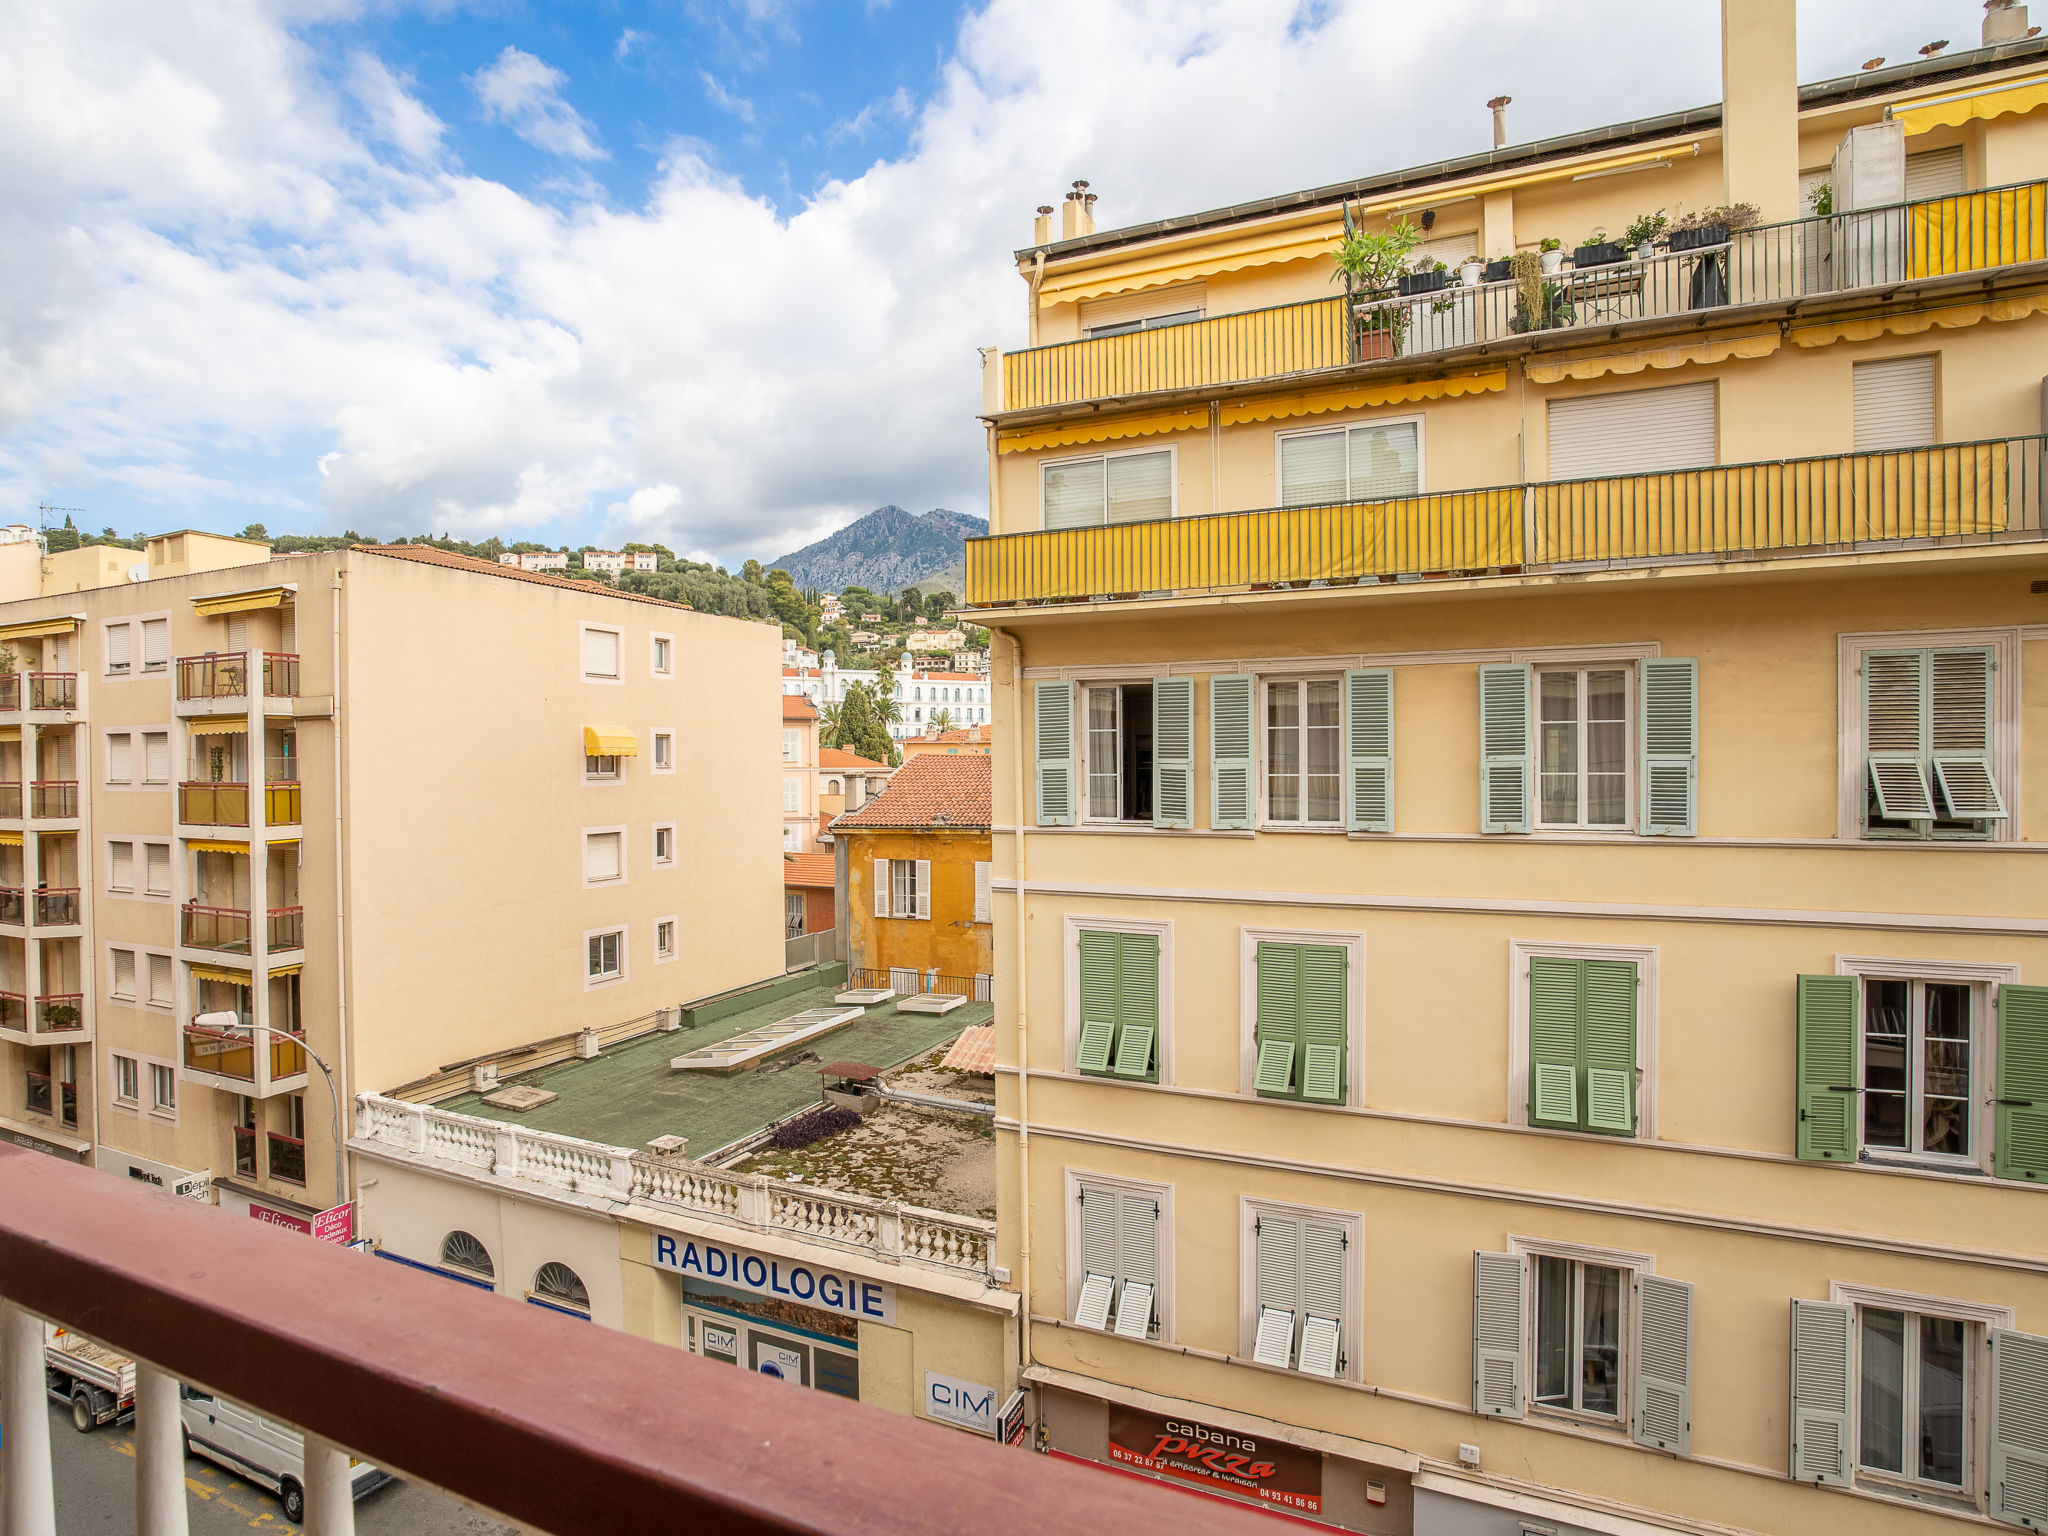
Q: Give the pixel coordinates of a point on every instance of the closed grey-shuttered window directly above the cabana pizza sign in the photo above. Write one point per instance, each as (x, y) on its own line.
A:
(1302, 1289)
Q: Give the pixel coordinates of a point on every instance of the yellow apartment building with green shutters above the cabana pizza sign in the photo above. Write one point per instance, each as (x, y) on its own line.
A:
(1521, 816)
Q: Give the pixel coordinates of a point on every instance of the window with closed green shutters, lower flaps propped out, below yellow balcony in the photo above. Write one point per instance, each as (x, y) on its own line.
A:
(1930, 744)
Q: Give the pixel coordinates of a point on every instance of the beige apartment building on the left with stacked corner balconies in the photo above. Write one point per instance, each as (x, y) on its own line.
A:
(384, 810)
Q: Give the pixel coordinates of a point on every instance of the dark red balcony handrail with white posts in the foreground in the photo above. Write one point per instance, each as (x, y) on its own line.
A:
(466, 1392)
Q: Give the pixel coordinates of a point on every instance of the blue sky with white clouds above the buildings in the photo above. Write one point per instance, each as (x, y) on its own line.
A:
(708, 273)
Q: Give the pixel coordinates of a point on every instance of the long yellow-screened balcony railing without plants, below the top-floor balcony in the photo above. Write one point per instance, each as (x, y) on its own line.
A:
(1840, 503)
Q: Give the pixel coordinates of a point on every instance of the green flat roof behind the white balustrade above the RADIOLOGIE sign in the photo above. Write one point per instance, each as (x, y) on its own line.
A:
(630, 1097)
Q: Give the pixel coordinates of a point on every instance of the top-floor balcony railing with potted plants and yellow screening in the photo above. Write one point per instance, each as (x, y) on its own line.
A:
(1801, 259)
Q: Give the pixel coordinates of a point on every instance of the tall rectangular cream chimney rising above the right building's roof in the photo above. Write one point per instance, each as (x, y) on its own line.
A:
(1760, 108)
